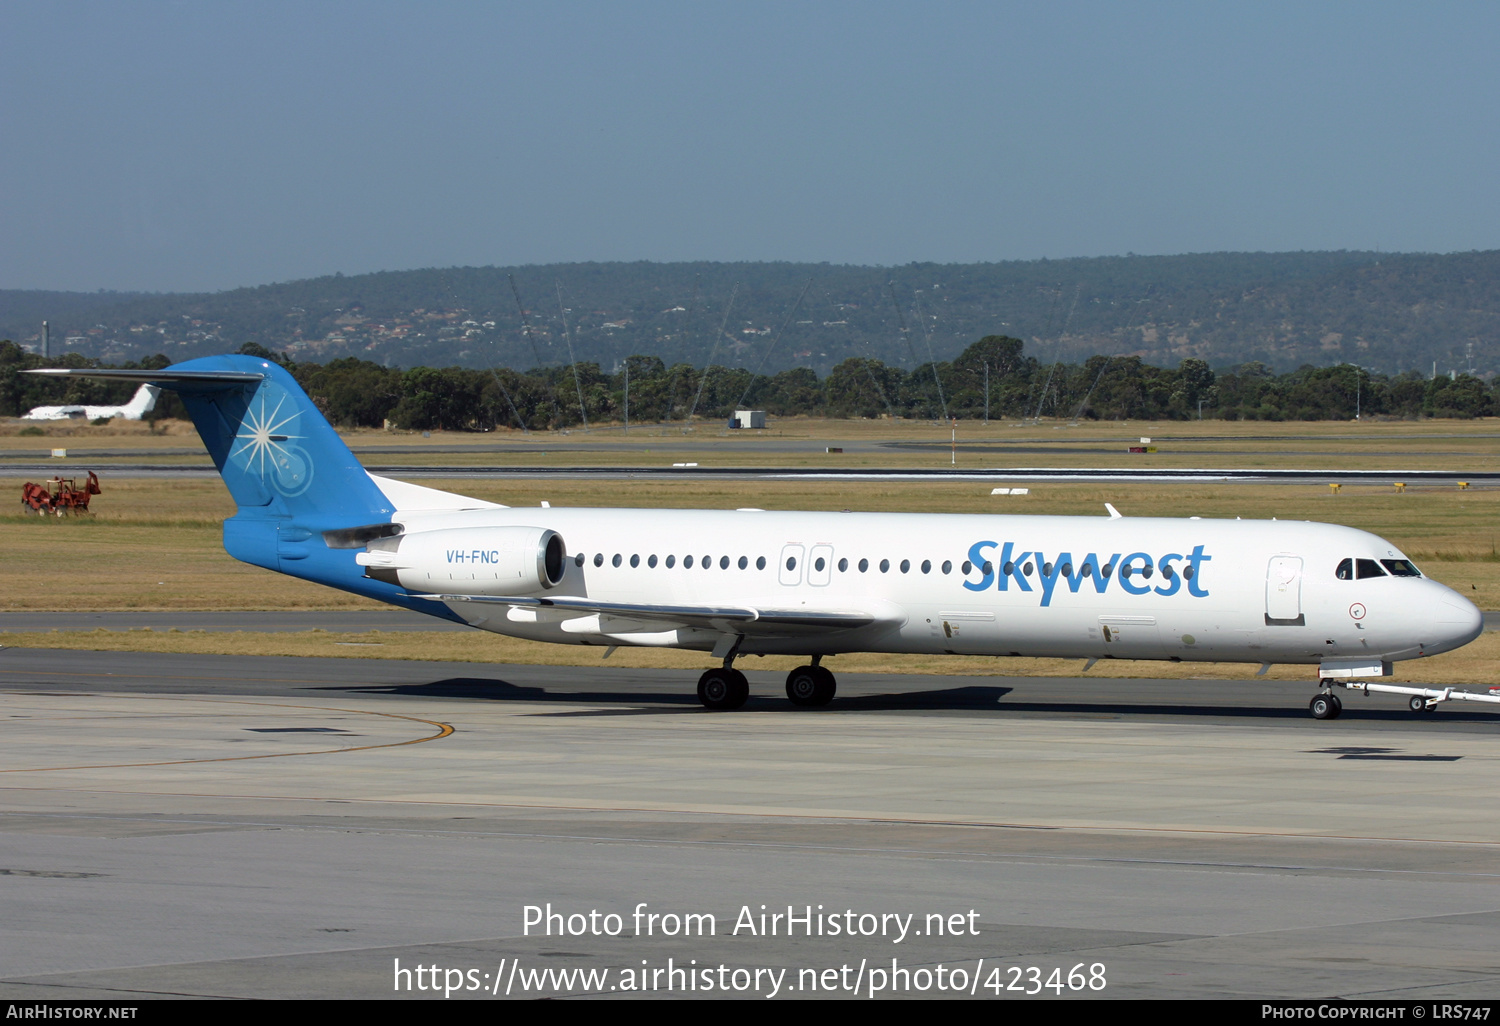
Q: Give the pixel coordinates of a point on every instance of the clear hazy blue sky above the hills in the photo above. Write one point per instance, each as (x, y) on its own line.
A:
(206, 146)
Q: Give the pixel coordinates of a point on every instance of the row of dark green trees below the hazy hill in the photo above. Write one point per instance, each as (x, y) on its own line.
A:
(991, 379)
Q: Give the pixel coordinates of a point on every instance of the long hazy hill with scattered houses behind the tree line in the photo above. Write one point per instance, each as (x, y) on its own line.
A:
(1387, 313)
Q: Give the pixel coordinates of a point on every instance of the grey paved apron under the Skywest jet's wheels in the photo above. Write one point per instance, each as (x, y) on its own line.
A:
(292, 827)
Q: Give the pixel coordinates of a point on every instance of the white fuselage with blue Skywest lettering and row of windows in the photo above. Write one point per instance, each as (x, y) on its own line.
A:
(1262, 592)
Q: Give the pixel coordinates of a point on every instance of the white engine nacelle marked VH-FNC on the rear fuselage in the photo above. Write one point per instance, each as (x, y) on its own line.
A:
(469, 562)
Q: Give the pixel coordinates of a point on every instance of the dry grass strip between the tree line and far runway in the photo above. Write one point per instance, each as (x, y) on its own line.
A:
(1372, 445)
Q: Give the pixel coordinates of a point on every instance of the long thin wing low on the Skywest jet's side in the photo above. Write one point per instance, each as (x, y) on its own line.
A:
(740, 620)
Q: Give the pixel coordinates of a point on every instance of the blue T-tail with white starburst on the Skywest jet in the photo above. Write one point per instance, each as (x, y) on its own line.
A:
(305, 503)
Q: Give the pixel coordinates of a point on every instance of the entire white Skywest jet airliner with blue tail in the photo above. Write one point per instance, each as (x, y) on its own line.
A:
(742, 583)
